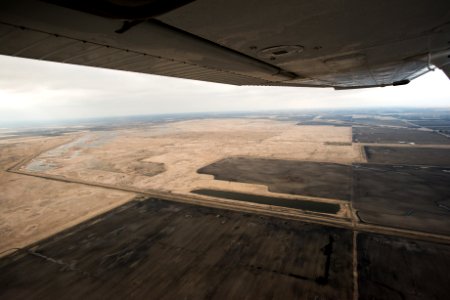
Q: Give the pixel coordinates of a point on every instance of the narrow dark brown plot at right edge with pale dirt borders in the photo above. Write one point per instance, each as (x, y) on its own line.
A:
(408, 155)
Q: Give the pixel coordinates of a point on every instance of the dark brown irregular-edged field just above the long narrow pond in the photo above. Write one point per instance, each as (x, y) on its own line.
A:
(317, 179)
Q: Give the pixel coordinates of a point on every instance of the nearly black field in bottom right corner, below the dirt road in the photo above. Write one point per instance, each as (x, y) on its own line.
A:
(397, 268)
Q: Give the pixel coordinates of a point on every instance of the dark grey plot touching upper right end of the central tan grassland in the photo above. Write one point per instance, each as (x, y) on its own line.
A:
(386, 135)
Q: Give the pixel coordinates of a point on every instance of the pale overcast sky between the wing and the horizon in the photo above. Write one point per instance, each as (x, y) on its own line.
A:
(36, 90)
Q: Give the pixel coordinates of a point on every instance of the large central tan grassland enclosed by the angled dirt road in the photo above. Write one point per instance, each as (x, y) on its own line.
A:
(127, 157)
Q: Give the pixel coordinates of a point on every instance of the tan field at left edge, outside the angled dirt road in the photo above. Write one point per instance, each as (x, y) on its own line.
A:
(33, 208)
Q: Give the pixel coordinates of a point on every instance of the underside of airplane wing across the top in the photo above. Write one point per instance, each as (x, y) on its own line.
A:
(323, 43)
